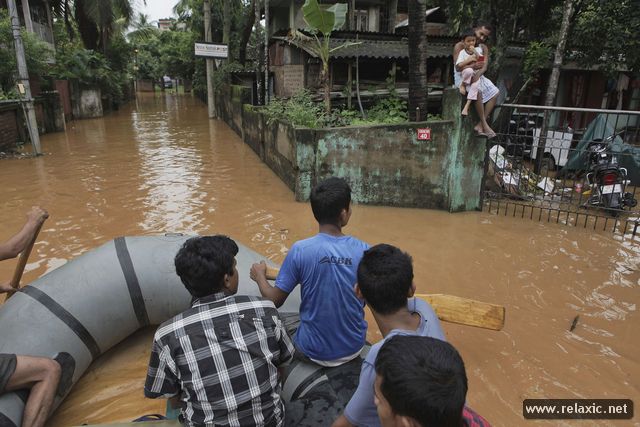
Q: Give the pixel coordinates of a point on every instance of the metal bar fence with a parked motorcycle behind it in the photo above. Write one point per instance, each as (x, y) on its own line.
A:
(538, 167)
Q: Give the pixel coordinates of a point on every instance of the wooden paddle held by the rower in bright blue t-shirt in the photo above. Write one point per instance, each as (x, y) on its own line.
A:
(454, 309)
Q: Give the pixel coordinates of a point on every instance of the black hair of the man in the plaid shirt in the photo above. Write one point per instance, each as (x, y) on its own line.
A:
(203, 261)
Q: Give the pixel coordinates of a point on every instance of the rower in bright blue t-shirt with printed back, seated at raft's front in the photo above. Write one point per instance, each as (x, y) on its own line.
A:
(332, 327)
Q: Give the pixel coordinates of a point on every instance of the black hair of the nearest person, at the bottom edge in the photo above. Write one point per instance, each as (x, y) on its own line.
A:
(423, 378)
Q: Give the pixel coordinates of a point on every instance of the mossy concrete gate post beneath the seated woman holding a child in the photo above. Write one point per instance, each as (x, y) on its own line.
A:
(465, 158)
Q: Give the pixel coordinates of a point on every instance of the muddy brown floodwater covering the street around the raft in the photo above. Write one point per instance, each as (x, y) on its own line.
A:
(159, 165)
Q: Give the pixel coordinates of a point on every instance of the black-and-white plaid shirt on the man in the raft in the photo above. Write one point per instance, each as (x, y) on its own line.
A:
(221, 357)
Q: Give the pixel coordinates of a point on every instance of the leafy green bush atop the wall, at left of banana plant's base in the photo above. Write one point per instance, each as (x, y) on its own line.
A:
(299, 110)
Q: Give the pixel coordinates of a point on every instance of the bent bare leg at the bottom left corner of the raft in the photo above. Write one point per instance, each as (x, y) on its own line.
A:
(41, 375)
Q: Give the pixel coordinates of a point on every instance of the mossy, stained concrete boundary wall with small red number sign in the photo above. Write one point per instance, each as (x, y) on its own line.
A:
(385, 164)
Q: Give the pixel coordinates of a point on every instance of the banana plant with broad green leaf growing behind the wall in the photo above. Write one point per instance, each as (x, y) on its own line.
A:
(321, 23)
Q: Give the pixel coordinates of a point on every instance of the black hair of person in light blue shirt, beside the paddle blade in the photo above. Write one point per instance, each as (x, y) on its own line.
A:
(385, 275)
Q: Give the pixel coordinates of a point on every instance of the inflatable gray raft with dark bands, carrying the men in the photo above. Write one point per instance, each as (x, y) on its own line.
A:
(95, 301)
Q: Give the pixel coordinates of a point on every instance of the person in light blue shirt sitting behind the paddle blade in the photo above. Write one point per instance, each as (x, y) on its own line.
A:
(385, 281)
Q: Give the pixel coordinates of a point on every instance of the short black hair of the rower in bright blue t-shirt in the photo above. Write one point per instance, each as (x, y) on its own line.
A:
(329, 198)
